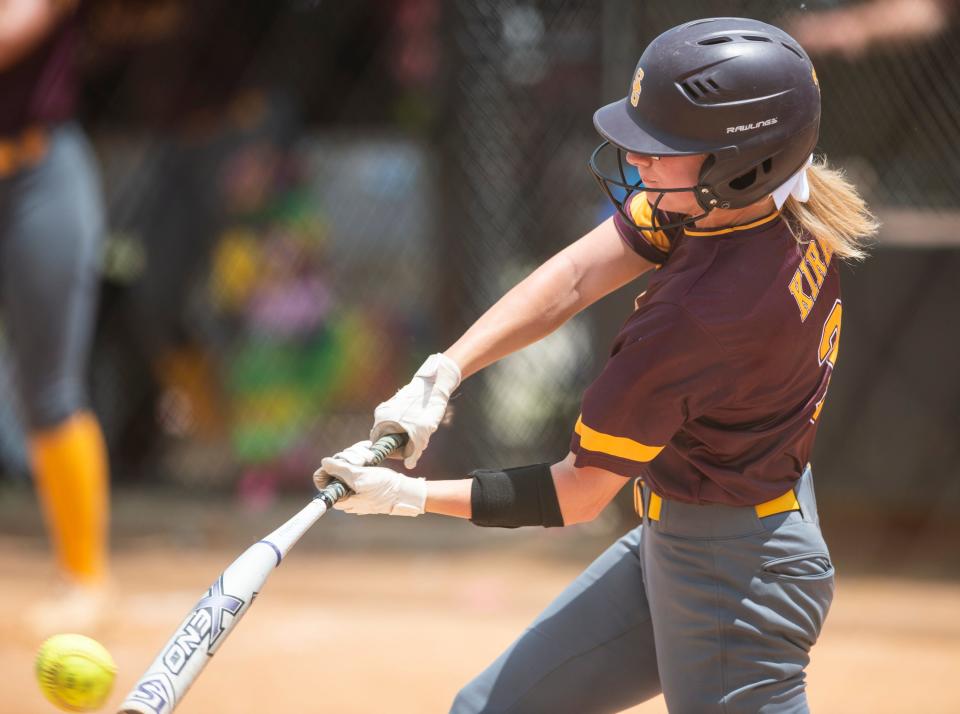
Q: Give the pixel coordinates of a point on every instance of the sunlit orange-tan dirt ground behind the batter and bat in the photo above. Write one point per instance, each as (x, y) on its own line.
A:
(393, 624)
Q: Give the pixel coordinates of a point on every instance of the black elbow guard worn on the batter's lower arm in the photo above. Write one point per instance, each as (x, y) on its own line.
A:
(522, 496)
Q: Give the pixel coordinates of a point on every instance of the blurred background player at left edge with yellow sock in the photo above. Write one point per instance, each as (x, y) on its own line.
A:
(51, 224)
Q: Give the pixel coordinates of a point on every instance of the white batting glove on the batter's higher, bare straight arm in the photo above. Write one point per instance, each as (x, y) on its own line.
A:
(418, 408)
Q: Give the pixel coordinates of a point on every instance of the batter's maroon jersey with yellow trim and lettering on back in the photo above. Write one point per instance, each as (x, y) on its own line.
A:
(714, 385)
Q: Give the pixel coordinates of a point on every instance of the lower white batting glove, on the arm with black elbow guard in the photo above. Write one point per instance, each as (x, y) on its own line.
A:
(375, 489)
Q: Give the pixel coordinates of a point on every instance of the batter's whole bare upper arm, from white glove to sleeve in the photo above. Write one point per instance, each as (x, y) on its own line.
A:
(570, 281)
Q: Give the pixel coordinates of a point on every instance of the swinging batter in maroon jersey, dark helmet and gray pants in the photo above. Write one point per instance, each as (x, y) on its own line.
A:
(710, 399)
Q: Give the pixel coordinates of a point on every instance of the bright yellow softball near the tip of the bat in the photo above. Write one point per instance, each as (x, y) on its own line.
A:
(75, 672)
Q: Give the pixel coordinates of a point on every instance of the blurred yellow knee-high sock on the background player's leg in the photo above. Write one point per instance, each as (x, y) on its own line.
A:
(71, 472)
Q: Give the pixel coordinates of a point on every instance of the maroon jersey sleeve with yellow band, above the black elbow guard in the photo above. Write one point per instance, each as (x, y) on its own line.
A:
(665, 369)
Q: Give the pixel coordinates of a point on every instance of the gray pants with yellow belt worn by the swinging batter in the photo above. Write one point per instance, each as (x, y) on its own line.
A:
(711, 605)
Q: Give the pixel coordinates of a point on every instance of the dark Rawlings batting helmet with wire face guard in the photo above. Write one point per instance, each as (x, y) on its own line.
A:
(741, 91)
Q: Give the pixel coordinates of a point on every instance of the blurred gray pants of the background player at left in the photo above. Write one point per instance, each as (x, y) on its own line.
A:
(51, 226)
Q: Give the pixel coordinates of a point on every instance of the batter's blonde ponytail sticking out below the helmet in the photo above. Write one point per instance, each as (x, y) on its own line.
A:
(835, 214)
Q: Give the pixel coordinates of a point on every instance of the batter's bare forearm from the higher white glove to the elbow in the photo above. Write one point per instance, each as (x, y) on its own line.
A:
(530, 311)
